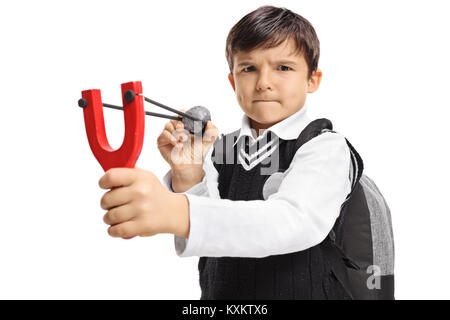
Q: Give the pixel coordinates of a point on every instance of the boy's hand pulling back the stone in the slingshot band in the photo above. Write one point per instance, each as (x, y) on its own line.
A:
(185, 152)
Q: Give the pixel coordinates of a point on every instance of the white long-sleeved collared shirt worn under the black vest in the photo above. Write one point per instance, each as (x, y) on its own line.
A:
(298, 213)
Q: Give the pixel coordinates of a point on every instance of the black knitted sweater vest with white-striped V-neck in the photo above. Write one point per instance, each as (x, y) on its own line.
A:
(298, 275)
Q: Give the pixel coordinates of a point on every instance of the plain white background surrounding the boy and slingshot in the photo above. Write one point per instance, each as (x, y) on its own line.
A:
(385, 87)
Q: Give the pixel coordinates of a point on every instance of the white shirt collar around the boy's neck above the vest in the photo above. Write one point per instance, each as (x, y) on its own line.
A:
(287, 129)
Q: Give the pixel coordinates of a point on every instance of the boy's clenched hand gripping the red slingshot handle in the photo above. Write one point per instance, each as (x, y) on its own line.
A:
(139, 205)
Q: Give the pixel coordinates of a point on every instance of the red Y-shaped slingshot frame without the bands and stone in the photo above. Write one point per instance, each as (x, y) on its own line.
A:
(134, 114)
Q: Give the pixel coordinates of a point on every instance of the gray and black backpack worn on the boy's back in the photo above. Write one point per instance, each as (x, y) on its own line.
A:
(360, 247)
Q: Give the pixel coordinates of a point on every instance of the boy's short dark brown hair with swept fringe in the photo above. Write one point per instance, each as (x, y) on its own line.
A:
(268, 27)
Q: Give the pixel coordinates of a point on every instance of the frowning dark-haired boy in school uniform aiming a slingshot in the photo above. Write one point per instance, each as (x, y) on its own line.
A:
(256, 221)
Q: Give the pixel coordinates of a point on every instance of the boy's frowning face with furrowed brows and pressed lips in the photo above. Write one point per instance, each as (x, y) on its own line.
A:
(274, 74)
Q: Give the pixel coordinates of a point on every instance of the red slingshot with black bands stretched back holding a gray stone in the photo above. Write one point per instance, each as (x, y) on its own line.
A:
(134, 114)
